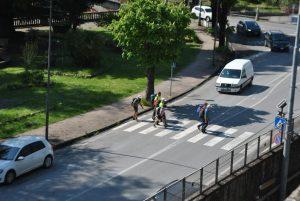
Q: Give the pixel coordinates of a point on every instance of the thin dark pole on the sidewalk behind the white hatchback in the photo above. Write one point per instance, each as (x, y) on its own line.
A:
(48, 74)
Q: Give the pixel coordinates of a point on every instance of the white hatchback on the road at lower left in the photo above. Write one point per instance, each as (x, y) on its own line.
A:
(23, 154)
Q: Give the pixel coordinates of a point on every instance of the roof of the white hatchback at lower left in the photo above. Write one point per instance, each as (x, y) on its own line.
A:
(22, 141)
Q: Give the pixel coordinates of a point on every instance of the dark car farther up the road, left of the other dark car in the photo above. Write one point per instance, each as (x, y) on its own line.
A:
(248, 28)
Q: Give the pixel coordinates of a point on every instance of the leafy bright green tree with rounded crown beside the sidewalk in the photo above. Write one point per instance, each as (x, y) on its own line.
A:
(152, 32)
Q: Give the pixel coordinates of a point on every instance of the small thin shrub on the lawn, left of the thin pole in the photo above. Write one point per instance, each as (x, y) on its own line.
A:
(30, 53)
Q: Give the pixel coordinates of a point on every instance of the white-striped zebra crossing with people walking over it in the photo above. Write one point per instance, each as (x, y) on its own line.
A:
(225, 138)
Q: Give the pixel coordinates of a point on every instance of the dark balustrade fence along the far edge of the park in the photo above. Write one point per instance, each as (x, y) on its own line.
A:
(21, 22)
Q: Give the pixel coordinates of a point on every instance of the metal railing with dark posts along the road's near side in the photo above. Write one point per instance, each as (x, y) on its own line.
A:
(224, 166)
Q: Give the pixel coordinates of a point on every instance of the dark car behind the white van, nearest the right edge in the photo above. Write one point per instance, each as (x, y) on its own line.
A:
(277, 40)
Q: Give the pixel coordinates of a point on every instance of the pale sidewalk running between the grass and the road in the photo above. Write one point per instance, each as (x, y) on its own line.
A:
(86, 124)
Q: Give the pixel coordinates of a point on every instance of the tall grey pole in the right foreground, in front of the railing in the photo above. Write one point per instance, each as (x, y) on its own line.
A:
(290, 128)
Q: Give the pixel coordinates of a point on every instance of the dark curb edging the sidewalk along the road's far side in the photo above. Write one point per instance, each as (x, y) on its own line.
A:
(101, 130)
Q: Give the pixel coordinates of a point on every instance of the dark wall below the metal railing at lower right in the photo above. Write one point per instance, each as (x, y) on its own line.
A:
(259, 181)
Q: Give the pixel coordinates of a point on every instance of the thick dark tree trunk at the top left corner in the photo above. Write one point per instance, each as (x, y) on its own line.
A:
(6, 19)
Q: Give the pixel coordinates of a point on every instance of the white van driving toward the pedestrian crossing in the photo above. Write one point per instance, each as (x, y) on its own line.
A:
(236, 75)
